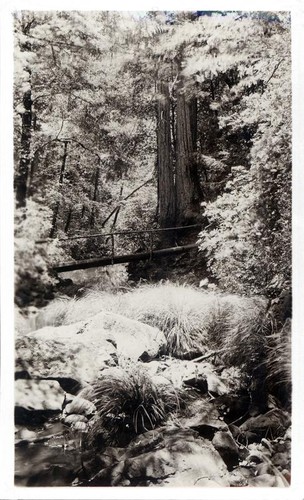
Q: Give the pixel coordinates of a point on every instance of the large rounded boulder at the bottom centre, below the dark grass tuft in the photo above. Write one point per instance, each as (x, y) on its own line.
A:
(165, 457)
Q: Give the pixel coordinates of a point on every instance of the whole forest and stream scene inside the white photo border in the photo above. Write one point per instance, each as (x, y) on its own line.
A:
(152, 183)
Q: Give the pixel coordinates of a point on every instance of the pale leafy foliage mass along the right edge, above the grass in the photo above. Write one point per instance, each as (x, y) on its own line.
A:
(248, 243)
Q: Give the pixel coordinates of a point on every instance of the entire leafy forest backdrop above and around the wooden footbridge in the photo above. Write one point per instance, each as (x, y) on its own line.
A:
(91, 93)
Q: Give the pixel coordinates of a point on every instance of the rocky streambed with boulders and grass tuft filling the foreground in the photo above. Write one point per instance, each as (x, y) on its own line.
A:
(99, 403)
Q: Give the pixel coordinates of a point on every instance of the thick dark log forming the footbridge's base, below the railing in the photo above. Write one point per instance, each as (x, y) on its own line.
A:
(121, 259)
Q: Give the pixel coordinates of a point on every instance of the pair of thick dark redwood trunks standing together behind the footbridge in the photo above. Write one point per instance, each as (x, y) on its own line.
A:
(179, 193)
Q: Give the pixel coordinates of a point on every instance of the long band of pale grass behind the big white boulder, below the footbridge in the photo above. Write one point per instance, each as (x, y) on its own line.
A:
(191, 319)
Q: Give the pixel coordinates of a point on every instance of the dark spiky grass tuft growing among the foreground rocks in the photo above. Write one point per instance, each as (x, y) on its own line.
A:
(129, 403)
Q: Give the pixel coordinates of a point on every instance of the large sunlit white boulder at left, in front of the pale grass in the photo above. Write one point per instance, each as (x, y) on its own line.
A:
(80, 351)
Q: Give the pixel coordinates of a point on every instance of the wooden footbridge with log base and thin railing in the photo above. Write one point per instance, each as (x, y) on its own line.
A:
(111, 254)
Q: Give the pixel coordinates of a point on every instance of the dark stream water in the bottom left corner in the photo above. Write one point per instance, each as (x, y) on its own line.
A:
(51, 458)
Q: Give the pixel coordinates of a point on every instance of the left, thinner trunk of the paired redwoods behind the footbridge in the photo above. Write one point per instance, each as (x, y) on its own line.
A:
(166, 189)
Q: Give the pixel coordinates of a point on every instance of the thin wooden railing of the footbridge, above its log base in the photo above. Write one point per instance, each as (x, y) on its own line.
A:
(113, 243)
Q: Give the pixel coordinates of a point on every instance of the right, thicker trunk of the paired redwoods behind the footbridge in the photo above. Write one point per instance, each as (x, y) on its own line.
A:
(186, 176)
